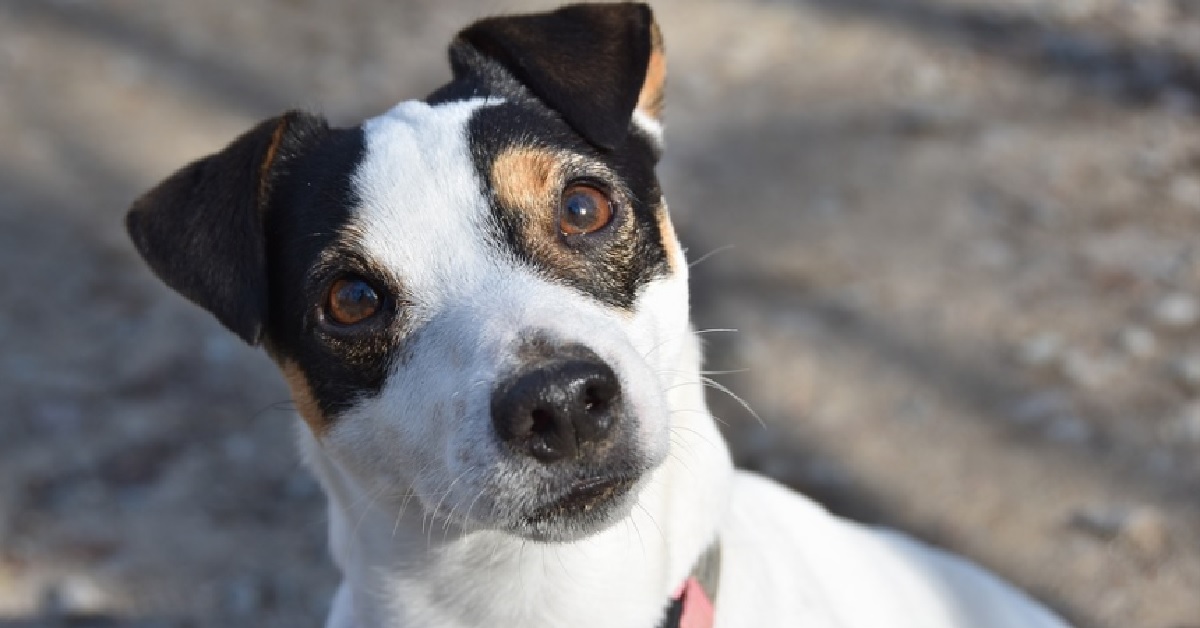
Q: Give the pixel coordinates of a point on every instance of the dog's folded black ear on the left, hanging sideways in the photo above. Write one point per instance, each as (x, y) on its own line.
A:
(202, 230)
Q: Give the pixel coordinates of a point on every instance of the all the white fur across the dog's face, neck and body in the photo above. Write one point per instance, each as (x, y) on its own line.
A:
(416, 479)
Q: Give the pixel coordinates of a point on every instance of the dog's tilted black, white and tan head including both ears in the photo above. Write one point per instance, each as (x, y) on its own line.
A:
(477, 297)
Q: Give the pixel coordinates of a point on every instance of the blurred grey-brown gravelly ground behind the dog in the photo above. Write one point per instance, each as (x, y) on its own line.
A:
(958, 240)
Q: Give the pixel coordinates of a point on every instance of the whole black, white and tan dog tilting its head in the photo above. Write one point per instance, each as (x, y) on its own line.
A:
(481, 307)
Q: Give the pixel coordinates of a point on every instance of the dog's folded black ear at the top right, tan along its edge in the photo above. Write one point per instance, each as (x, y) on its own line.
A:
(593, 64)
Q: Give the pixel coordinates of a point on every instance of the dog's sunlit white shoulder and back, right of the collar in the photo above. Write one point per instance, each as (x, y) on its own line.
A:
(790, 558)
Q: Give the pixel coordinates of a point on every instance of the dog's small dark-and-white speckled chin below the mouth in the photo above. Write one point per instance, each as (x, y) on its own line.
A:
(587, 509)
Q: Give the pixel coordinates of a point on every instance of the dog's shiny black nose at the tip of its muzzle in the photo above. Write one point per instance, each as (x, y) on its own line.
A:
(560, 408)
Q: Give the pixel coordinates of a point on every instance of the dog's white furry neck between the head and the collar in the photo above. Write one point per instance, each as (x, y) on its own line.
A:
(405, 570)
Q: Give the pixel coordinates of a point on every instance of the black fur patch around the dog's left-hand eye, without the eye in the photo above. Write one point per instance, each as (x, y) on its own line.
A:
(308, 252)
